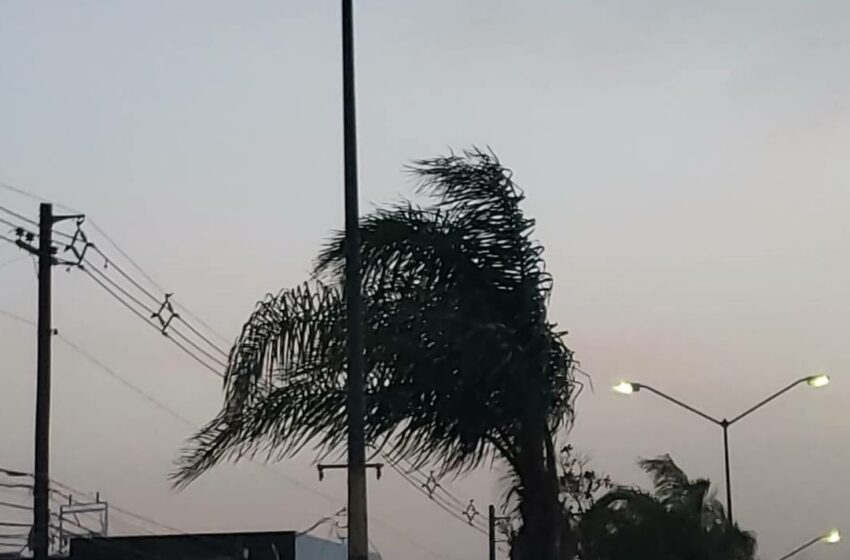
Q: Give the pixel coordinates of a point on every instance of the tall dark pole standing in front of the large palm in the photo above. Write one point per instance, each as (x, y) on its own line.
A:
(358, 532)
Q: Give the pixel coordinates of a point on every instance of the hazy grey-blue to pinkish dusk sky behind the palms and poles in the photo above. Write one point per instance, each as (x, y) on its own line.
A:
(684, 162)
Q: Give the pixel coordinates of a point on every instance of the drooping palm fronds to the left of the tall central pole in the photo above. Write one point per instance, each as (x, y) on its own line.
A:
(283, 385)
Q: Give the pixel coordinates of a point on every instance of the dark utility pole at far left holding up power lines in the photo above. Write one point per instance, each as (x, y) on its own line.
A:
(41, 502)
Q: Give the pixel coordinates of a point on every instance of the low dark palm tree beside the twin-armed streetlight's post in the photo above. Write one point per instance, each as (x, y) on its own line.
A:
(680, 519)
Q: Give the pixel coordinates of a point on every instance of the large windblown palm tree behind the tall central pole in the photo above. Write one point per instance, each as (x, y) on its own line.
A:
(463, 364)
